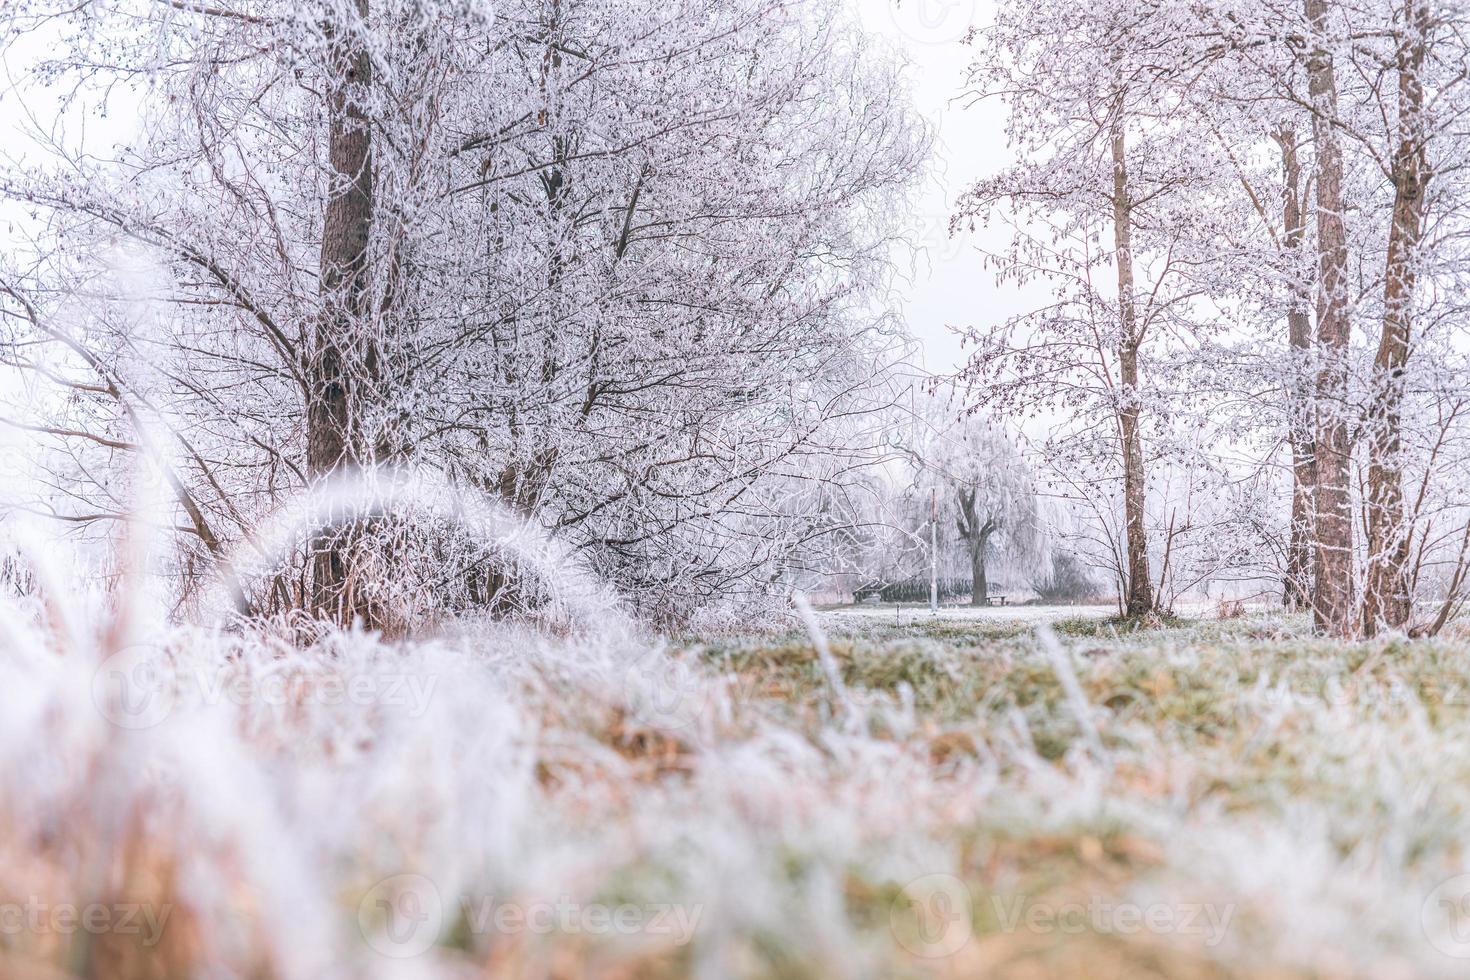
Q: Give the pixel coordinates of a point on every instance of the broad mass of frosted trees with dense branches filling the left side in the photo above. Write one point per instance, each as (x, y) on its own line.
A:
(618, 264)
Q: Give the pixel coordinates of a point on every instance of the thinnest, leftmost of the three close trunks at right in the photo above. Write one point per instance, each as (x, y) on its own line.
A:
(1297, 588)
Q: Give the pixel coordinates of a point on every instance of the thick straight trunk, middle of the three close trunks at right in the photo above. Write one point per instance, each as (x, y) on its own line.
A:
(1333, 599)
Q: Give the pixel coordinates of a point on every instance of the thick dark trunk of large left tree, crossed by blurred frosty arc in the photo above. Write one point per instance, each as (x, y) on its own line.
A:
(346, 228)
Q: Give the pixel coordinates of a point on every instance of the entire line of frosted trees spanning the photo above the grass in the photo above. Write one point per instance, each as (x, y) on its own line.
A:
(625, 267)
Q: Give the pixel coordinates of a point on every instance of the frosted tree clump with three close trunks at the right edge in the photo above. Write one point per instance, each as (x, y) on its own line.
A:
(1344, 83)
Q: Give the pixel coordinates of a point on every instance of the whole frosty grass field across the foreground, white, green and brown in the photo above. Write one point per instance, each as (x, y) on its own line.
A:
(958, 797)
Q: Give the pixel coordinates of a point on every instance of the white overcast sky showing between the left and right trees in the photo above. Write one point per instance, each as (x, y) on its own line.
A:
(946, 284)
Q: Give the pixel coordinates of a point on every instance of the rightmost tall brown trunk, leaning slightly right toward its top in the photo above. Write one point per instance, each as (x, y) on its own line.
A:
(1387, 599)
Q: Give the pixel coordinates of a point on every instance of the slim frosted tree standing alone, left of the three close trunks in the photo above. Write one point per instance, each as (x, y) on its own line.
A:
(1106, 202)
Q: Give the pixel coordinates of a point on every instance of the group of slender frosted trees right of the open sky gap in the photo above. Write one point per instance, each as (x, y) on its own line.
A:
(1250, 223)
